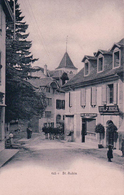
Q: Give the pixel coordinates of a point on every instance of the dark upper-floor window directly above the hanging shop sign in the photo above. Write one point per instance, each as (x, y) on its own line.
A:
(110, 93)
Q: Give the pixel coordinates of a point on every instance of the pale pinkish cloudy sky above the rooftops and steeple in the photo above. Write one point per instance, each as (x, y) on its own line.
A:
(80, 26)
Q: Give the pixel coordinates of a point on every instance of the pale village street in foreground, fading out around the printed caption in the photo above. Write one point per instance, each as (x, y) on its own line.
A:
(50, 167)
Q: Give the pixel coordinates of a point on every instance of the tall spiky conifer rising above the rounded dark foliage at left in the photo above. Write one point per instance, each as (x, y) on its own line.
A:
(18, 53)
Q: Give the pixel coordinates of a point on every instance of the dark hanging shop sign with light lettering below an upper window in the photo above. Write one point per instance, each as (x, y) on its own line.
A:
(109, 109)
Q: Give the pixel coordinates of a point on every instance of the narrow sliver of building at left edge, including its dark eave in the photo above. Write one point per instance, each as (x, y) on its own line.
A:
(5, 11)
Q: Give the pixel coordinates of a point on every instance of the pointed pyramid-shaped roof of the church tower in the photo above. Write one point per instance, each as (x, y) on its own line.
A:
(66, 62)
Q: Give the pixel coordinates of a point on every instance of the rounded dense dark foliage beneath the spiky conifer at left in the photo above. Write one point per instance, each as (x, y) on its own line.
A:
(22, 100)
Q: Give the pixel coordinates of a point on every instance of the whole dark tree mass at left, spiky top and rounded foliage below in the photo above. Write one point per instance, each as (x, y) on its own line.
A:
(22, 100)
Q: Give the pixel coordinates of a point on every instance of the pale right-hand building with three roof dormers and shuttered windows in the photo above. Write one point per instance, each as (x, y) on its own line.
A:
(95, 94)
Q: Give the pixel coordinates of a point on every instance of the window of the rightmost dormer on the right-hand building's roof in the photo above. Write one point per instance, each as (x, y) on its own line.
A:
(116, 58)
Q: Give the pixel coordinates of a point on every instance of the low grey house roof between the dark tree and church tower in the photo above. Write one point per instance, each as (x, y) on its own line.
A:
(43, 82)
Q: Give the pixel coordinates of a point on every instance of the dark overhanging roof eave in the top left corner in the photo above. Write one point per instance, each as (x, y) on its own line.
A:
(7, 9)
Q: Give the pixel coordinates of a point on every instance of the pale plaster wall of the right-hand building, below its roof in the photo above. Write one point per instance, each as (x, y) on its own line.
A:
(77, 109)
